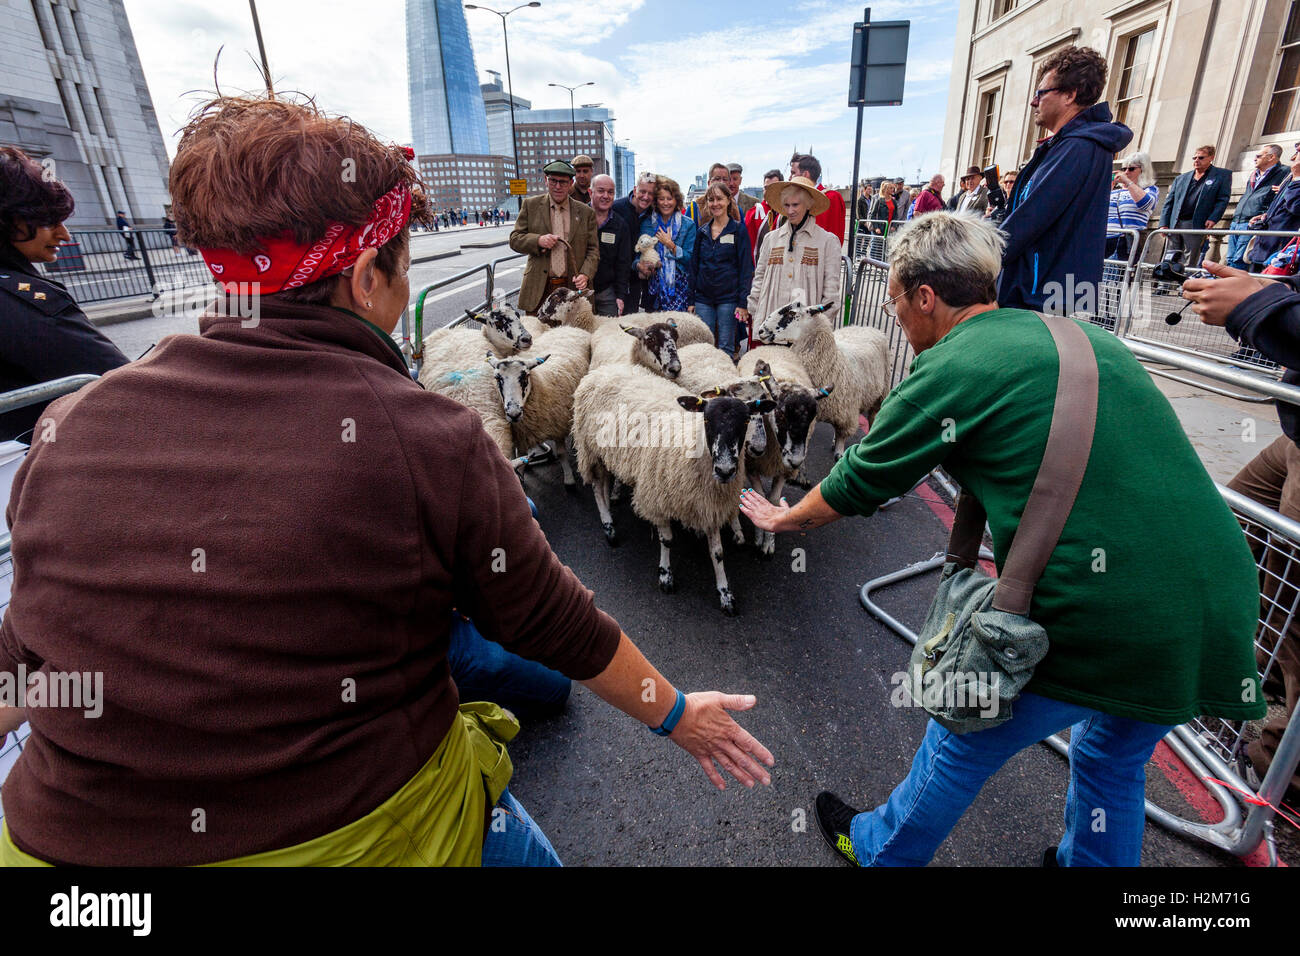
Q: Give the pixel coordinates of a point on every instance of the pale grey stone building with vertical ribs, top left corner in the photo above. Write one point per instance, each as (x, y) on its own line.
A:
(73, 93)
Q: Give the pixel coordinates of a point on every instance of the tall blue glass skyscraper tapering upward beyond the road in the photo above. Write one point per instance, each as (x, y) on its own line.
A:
(448, 113)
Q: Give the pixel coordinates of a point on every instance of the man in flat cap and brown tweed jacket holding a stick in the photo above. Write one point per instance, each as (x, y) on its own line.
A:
(560, 237)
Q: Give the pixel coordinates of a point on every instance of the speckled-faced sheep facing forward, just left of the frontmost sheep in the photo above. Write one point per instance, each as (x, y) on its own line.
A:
(538, 395)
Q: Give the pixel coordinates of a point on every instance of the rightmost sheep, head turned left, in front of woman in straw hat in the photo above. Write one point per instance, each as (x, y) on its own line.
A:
(853, 361)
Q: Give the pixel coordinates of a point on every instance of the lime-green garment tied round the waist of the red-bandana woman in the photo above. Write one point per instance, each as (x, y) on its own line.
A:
(437, 819)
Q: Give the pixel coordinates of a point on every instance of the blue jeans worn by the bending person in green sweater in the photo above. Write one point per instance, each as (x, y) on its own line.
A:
(1104, 808)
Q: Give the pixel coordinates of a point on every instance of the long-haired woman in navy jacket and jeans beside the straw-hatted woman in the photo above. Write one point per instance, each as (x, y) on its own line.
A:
(722, 269)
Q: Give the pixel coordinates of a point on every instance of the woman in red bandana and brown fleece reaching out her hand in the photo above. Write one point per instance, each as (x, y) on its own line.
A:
(255, 537)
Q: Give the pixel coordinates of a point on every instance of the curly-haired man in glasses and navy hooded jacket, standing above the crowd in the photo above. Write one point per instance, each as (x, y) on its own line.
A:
(1056, 224)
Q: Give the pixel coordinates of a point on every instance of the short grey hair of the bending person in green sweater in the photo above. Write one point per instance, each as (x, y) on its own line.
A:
(957, 254)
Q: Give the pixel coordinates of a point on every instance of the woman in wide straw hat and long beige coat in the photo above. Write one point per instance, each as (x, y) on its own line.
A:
(799, 254)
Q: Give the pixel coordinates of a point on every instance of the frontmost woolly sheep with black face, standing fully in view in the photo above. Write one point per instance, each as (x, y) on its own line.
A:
(631, 425)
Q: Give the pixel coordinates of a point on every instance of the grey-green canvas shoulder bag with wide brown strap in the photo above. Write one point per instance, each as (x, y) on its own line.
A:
(978, 647)
